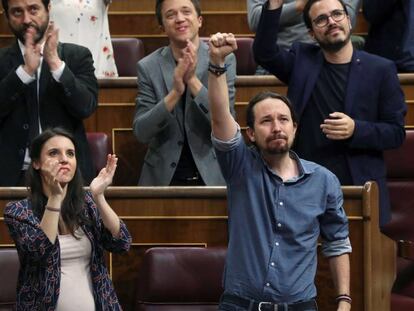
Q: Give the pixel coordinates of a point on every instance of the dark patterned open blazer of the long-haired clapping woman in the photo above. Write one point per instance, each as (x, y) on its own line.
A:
(39, 275)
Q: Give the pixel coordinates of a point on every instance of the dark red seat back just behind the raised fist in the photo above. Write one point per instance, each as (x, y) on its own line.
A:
(244, 55)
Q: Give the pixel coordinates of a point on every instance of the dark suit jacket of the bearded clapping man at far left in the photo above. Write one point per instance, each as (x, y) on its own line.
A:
(63, 104)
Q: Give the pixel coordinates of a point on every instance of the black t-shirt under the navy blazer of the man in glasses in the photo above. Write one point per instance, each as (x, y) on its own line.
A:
(311, 144)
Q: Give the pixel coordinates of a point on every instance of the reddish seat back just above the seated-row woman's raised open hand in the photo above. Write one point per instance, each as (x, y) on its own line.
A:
(100, 147)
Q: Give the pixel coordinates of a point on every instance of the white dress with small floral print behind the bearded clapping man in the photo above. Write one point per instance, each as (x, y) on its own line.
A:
(85, 22)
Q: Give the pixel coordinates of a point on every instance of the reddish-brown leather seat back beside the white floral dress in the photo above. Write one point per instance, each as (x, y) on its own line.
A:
(127, 52)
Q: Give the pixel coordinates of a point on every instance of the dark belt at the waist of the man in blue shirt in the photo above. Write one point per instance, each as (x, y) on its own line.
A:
(269, 306)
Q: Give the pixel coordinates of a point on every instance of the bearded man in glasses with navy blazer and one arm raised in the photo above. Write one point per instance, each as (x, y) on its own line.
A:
(350, 103)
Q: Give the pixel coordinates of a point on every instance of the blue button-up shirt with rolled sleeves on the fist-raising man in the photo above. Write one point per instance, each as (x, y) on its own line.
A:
(274, 225)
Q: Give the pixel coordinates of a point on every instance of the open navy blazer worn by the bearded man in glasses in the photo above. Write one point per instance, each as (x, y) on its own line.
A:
(374, 99)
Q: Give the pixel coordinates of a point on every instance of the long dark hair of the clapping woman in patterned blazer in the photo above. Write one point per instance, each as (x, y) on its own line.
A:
(72, 206)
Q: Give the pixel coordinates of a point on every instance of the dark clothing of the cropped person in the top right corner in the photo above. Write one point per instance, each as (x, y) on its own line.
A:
(391, 31)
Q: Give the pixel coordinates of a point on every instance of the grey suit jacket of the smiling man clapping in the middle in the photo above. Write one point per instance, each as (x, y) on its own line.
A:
(163, 131)
